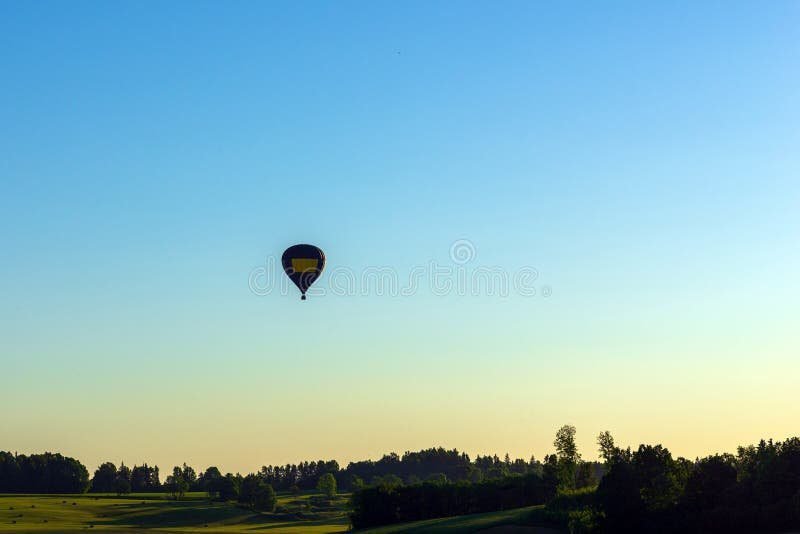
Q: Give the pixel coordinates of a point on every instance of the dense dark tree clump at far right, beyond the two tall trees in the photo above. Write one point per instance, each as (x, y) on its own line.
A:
(647, 490)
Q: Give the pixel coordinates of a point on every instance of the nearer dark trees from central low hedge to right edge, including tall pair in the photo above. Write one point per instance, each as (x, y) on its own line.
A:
(642, 490)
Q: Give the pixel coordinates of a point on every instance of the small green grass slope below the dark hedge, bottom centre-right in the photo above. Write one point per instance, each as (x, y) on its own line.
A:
(510, 521)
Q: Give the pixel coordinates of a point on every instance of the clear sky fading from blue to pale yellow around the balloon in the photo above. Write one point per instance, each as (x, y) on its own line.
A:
(643, 158)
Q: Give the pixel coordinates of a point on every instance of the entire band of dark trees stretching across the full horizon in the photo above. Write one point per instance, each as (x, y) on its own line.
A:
(640, 490)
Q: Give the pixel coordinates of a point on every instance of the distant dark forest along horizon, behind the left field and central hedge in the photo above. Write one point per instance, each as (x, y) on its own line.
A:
(54, 473)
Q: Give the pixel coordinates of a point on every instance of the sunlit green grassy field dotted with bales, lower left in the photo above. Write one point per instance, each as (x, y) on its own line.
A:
(154, 513)
